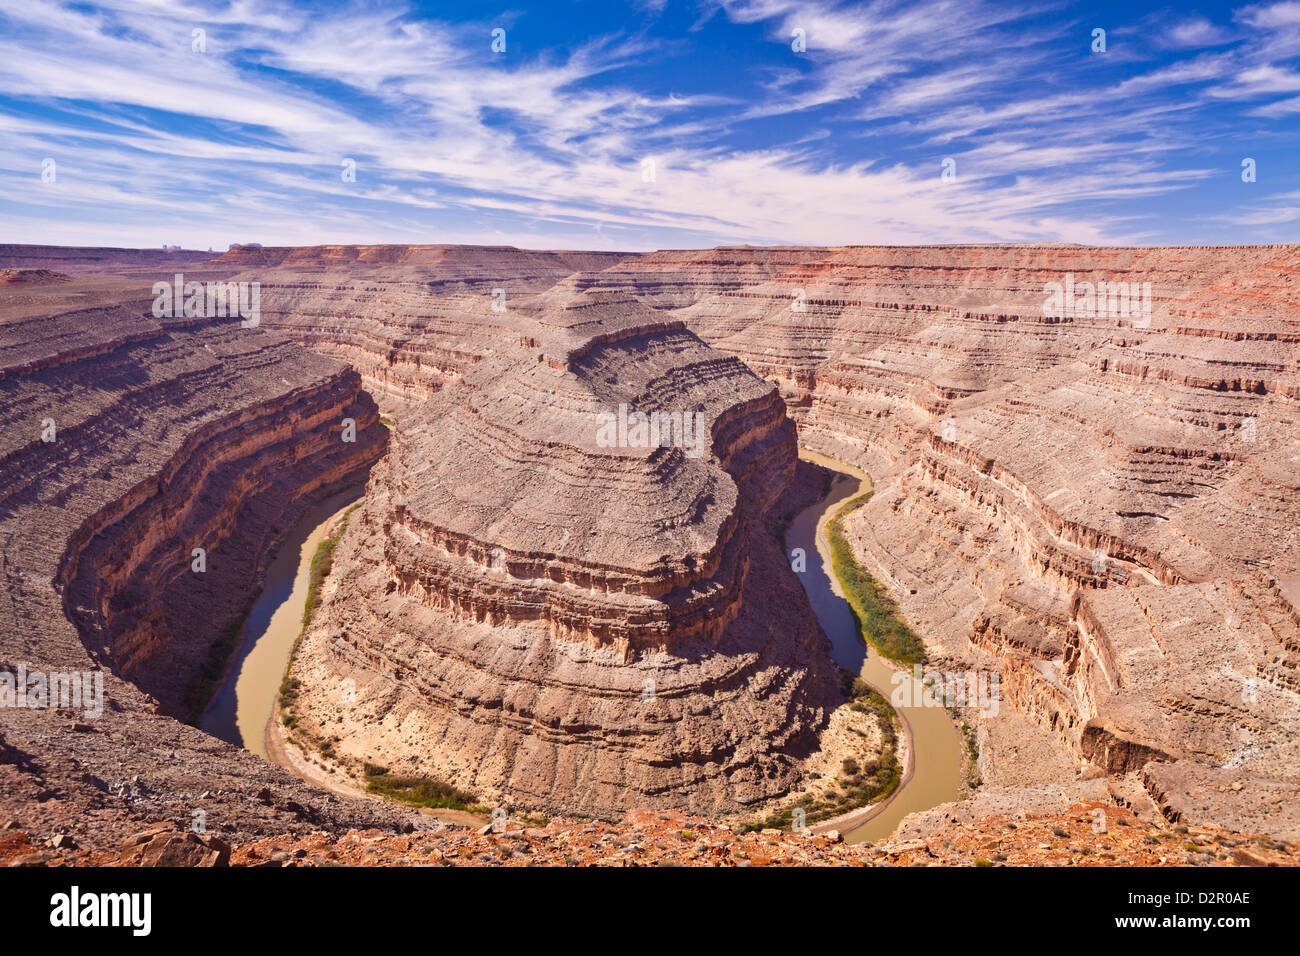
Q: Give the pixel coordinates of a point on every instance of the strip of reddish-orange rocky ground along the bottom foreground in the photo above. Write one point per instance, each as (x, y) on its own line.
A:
(1076, 838)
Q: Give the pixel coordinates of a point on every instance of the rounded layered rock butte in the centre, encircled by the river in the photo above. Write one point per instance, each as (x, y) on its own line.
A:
(560, 621)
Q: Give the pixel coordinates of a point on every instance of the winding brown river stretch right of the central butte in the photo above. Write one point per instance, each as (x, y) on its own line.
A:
(935, 745)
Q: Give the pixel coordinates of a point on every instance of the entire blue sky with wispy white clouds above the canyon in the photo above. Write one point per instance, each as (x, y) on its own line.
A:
(660, 124)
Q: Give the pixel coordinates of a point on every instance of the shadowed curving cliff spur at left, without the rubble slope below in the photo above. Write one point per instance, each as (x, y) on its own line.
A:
(262, 431)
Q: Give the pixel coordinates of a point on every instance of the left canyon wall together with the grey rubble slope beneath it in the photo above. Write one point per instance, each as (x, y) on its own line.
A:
(127, 443)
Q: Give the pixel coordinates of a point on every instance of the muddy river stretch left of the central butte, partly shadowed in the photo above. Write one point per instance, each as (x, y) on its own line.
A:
(241, 710)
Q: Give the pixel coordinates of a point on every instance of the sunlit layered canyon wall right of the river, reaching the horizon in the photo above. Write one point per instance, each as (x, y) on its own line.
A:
(1099, 507)
